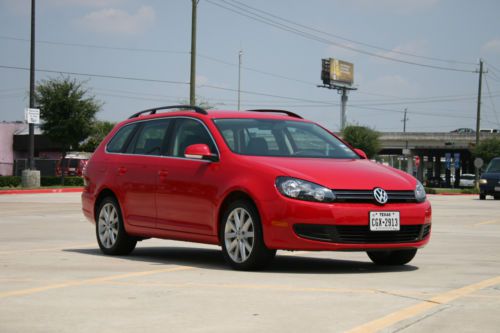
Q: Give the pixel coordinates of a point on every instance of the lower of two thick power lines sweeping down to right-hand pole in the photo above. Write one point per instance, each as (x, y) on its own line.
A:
(267, 21)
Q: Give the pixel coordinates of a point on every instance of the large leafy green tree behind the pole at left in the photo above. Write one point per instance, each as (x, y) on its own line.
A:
(67, 112)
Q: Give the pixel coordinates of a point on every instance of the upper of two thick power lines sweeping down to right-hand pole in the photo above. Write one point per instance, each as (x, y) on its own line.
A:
(347, 39)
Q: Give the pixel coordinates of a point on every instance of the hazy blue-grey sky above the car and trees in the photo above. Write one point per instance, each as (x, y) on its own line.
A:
(419, 55)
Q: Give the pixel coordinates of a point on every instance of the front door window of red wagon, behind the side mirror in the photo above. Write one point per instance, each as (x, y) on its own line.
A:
(189, 132)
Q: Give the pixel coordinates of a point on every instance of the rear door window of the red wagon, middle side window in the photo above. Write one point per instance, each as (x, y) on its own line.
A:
(149, 140)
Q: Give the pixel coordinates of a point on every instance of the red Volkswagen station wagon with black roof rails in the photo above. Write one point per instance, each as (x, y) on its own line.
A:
(252, 182)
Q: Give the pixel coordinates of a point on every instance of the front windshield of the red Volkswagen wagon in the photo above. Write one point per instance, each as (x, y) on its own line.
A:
(271, 137)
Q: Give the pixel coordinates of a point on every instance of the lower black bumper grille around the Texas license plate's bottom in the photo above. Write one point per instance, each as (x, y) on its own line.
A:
(348, 234)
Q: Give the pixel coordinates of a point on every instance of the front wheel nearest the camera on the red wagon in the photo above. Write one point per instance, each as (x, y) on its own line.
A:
(242, 238)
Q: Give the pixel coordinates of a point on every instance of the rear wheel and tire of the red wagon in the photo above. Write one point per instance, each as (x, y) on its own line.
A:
(110, 232)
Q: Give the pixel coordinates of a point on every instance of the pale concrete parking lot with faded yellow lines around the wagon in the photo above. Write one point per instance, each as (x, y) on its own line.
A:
(54, 279)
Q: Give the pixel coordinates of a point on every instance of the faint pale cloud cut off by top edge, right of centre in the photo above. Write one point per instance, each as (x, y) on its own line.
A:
(402, 6)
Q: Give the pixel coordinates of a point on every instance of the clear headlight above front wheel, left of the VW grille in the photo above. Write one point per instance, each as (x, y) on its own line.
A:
(303, 190)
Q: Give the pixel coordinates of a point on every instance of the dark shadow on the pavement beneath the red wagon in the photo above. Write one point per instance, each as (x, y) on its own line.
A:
(213, 259)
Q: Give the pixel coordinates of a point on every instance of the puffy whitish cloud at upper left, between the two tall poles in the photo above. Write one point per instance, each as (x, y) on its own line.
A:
(117, 21)
